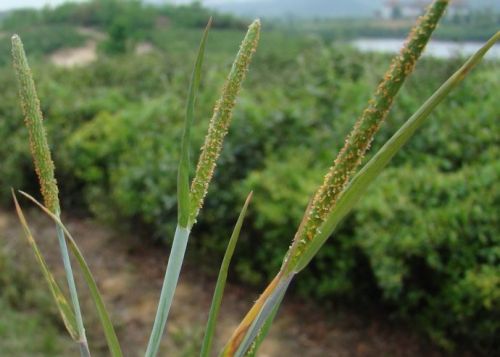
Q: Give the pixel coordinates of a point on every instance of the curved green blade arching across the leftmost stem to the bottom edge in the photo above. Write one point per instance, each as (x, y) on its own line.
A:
(109, 331)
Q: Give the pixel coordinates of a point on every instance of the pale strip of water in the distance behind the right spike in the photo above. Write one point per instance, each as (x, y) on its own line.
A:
(439, 49)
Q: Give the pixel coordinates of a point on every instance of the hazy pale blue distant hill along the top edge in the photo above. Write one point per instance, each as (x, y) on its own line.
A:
(317, 8)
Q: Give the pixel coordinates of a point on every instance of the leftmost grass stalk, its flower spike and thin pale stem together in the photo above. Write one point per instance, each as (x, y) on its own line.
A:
(44, 168)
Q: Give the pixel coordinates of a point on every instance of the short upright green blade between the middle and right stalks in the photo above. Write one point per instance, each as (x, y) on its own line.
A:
(221, 282)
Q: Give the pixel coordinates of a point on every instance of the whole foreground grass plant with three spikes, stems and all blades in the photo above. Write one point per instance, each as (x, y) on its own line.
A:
(342, 187)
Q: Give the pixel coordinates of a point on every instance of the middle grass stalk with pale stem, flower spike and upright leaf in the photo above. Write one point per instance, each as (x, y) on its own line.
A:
(189, 203)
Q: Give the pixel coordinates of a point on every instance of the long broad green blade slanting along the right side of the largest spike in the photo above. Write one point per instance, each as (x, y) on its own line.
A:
(372, 169)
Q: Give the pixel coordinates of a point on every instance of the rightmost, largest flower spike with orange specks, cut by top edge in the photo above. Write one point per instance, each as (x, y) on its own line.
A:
(361, 136)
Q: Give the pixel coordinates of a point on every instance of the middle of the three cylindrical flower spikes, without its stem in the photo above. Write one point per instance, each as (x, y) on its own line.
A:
(221, 119)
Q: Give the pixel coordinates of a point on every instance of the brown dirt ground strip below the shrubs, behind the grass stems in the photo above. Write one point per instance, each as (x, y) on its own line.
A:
(129, 271)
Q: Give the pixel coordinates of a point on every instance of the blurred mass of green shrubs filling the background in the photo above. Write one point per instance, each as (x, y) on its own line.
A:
(423, 244)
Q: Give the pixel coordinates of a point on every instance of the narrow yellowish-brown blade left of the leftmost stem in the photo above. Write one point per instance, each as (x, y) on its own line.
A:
(63, 306)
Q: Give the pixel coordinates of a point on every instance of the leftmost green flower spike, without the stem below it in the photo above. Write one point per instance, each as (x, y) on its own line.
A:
(44, 166)
